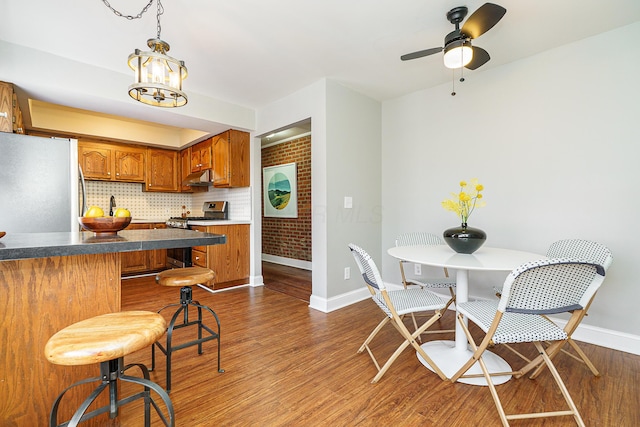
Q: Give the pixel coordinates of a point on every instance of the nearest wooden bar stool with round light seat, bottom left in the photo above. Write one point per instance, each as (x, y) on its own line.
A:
(106, 339)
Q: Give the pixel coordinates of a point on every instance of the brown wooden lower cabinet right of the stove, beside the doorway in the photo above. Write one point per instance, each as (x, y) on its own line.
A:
(230, 262)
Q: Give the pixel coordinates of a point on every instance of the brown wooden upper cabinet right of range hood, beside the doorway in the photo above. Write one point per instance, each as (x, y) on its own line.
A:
(231, 159)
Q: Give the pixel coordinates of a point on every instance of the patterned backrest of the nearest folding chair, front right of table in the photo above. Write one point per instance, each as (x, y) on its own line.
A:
(551, 286)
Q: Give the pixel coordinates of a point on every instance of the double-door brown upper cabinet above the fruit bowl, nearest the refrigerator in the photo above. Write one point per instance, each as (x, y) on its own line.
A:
(108, 162)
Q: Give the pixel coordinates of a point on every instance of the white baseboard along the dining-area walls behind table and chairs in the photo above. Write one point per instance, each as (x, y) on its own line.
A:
(615, 340)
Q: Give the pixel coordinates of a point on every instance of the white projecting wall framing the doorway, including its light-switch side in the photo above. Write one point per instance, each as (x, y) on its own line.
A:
(345, 161)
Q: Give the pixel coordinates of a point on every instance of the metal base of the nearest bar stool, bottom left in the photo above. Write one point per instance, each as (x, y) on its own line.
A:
(110, 372)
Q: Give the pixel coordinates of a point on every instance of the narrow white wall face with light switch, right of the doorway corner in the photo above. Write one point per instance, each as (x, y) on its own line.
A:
(353, 170)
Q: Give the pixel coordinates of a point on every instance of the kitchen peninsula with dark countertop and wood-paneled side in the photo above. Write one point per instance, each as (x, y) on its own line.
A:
(47, 282)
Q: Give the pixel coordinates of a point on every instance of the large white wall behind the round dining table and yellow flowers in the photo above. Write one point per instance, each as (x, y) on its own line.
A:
(554, 139)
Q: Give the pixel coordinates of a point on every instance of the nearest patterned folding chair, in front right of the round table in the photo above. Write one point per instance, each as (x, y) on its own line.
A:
(530, 293)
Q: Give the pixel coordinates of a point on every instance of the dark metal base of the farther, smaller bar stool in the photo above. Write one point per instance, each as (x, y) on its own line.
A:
(186, 302)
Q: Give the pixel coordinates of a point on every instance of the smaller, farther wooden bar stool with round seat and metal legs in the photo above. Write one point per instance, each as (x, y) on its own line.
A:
(185, 278)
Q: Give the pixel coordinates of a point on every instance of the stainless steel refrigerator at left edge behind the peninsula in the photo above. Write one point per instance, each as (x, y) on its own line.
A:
(40, 184)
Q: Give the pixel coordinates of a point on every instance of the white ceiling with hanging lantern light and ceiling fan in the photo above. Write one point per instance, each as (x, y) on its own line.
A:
(251, 53)
